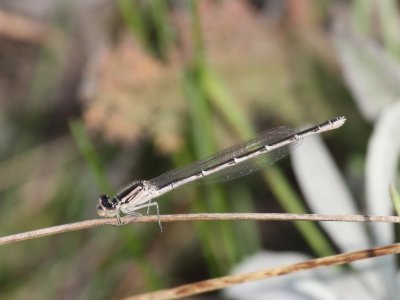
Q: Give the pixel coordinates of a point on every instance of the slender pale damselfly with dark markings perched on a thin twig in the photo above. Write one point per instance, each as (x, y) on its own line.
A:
(236, 161)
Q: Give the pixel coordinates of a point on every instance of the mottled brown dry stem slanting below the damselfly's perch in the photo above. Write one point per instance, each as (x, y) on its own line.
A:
(227, 281)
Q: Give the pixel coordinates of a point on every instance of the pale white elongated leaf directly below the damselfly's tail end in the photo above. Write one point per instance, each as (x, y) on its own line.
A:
(326, 192)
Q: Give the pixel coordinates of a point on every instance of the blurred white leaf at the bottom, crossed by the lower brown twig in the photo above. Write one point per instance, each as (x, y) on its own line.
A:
(324, 284)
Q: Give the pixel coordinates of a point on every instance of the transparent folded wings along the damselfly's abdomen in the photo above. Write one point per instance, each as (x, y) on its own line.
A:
(246, 167)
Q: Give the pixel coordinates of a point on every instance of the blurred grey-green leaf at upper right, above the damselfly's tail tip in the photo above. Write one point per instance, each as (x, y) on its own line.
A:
(372, 75)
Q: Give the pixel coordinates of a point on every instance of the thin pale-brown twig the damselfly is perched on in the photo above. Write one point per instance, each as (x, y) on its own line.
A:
(194, 217)
